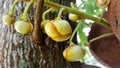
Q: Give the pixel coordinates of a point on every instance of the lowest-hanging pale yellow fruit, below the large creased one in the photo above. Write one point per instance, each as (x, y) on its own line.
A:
(73, 53)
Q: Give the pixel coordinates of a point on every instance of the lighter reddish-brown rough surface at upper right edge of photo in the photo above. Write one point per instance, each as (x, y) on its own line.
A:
(113, 16)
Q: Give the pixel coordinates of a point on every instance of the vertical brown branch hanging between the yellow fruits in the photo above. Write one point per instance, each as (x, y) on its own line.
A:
(37, 32)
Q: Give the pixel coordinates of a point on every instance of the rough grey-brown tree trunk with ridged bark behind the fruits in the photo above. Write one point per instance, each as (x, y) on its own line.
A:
(19, 51)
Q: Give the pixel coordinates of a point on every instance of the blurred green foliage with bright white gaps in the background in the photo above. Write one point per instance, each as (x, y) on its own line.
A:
(89, 7)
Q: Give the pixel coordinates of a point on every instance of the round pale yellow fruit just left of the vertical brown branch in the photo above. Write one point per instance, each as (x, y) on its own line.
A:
(23, 27)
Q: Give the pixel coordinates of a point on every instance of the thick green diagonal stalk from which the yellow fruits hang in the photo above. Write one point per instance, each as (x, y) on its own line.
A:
(98, 20)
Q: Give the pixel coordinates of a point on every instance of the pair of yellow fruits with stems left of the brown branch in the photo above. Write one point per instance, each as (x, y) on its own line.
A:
(23, 26)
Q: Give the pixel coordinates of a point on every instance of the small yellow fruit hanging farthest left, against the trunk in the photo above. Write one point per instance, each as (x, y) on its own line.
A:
(8, 20)
